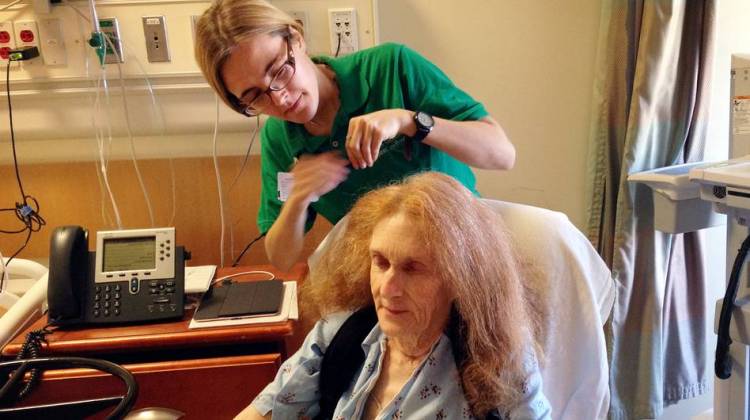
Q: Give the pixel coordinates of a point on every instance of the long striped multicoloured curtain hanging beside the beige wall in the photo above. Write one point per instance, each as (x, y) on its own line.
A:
(650, 110)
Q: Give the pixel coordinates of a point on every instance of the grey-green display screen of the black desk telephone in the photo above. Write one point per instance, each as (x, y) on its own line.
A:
(122, 254)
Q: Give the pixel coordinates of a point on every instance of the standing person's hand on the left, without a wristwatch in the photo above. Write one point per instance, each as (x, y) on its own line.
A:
(316, 175)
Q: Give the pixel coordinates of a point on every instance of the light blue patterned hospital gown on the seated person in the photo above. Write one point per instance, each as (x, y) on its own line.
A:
(434, 391)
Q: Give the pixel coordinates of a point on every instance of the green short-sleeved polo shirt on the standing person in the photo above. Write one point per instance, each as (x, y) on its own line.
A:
(383, 77)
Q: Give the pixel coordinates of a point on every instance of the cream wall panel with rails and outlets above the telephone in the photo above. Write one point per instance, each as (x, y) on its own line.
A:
(53, 104)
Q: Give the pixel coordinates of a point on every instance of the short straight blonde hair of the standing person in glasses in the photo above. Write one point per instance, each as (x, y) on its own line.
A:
(223, 26)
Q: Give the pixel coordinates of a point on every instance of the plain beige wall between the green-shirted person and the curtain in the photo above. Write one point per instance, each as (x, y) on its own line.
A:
(532, 64)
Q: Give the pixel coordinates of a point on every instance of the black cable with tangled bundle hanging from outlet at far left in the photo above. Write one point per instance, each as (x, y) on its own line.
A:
(24, 211)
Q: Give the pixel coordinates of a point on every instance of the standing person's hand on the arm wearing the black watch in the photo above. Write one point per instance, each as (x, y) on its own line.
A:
(367, 133)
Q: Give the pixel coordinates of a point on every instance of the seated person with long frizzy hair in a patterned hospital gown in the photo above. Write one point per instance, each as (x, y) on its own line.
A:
(451, 335)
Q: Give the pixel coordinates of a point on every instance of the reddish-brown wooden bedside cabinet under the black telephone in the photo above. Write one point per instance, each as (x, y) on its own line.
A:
(208, 373)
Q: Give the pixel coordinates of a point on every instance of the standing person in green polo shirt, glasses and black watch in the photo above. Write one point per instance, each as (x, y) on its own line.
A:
(330, 114)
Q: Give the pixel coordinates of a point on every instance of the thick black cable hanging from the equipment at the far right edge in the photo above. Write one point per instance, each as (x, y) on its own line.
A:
(723, 363)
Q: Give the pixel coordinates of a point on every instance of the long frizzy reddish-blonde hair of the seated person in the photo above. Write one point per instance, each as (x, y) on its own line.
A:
(473, 257)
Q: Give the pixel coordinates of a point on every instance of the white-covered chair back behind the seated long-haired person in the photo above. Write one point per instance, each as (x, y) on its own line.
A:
(580, 292)
